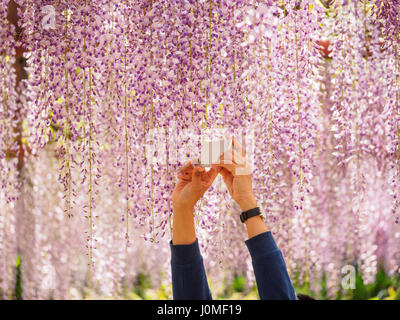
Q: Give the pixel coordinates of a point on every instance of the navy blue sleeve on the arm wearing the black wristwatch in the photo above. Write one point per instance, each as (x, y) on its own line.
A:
(273, 282)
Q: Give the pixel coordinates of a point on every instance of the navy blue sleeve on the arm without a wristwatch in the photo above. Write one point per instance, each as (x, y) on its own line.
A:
(189, 280)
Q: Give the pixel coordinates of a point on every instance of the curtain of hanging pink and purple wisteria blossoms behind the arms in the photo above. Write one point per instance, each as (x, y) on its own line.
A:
(119, 94)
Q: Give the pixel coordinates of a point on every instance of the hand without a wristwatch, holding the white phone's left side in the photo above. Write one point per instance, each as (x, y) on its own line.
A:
(192, 183)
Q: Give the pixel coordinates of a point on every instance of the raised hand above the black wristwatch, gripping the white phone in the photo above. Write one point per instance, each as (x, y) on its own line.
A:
(236, 173)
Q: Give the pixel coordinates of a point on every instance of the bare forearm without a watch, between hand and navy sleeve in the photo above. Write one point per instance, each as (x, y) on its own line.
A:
(183, 231)
